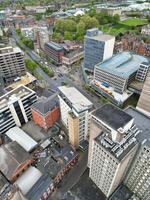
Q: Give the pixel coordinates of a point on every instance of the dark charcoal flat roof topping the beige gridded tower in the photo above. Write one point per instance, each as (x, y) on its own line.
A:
(112, 116)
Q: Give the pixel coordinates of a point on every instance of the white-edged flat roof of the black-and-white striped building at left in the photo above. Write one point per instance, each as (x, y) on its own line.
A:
(19, 92)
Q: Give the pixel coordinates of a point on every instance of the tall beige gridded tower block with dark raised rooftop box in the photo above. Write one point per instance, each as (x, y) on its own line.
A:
(113, 149)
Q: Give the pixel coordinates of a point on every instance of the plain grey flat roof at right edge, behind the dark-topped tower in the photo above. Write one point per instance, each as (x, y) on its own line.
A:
(142, 121)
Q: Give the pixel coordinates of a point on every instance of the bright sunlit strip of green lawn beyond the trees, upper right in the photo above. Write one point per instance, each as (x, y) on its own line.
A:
(134, 22)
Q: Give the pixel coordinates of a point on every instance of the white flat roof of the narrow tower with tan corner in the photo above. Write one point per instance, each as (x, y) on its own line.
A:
(77, 100)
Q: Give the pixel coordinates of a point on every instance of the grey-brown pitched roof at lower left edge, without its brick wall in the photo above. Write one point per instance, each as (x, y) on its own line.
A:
(12, 155)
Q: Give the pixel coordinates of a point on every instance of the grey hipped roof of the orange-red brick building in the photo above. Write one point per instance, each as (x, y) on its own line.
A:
(45, 105)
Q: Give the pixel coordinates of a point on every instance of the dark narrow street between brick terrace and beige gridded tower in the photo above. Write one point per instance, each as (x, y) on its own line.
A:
(71, 178)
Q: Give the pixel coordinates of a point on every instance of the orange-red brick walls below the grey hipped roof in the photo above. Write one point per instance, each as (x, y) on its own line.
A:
(47, 121)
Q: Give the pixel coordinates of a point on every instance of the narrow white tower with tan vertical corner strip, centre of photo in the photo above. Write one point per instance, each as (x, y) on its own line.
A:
(75, 113)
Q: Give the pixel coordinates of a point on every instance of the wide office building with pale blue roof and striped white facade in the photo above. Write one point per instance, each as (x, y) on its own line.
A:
(120, 70)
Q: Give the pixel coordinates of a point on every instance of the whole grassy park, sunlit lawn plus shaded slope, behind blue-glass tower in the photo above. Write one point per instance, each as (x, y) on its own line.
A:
(124, 26)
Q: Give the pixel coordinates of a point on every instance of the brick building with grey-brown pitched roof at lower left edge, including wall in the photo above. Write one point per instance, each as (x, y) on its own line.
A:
(15, 160)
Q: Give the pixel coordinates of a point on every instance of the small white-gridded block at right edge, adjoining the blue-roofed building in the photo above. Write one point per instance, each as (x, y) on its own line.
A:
(142, 71)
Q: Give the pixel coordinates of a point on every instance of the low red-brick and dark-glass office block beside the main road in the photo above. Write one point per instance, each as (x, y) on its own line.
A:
(54, 51)
